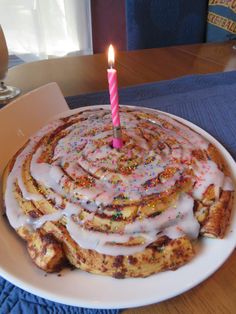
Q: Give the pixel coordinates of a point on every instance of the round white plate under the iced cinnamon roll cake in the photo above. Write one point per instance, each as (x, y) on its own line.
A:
(82, 289)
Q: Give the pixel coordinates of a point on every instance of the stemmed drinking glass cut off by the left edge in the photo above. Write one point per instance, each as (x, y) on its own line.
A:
(6, 92)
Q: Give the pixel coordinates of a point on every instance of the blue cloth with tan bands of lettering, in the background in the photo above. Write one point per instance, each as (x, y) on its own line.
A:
(221, 21)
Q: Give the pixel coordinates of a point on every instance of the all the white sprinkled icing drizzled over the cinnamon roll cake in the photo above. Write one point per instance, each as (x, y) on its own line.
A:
(85, 151)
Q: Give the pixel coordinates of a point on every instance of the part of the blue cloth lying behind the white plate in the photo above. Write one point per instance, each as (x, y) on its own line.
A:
(209, 101)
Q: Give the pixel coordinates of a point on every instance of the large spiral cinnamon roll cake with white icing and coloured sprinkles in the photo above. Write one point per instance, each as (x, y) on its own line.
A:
(128, 212)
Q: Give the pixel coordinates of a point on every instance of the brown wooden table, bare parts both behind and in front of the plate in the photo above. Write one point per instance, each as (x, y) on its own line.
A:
(77, 75)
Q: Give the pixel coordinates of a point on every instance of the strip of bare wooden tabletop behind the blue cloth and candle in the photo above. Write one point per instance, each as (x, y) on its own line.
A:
(84, 74)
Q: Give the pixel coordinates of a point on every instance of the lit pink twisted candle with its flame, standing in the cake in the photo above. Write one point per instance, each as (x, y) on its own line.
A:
(114, 100)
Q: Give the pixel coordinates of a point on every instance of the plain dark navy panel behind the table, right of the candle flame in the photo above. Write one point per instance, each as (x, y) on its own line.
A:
(159, 23)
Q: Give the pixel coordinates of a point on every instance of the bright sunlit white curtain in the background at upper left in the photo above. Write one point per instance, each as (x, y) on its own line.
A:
(47, 28)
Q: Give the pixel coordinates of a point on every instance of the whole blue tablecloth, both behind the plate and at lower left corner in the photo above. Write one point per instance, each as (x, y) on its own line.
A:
(209, 101)
